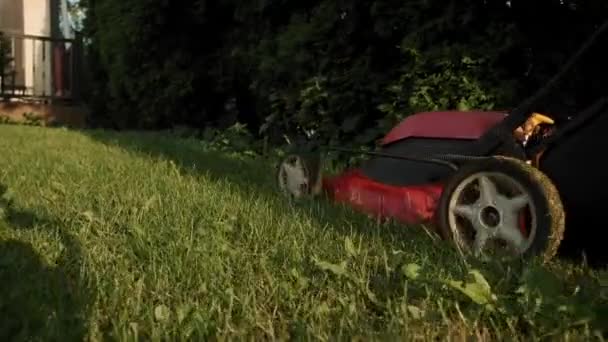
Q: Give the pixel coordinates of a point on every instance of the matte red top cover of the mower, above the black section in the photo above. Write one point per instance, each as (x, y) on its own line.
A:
(445, 125)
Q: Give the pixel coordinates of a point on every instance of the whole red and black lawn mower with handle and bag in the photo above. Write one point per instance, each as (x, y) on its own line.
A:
(488, 181)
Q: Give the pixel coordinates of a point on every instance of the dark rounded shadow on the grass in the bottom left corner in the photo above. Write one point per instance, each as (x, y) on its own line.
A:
(41, 301)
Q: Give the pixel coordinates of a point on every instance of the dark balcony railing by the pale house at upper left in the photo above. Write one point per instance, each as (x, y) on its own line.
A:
(39, 67)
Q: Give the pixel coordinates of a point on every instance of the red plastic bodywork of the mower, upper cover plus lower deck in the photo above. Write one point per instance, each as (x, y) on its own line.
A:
(416, 203)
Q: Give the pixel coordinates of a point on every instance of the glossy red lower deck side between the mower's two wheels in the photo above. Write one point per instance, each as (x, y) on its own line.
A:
(410, 204)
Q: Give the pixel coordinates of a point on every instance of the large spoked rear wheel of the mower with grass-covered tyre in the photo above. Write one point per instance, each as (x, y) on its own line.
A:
(503, 203)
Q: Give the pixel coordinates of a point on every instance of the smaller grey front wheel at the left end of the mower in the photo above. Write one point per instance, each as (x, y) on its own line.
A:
(299, 176)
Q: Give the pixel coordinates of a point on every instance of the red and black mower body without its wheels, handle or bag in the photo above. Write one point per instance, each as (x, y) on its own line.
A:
(409, 190)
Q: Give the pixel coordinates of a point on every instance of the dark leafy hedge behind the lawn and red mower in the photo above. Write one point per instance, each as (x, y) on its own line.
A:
(345, 69)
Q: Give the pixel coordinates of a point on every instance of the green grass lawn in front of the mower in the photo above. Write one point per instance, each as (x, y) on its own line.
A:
(143, 236)
